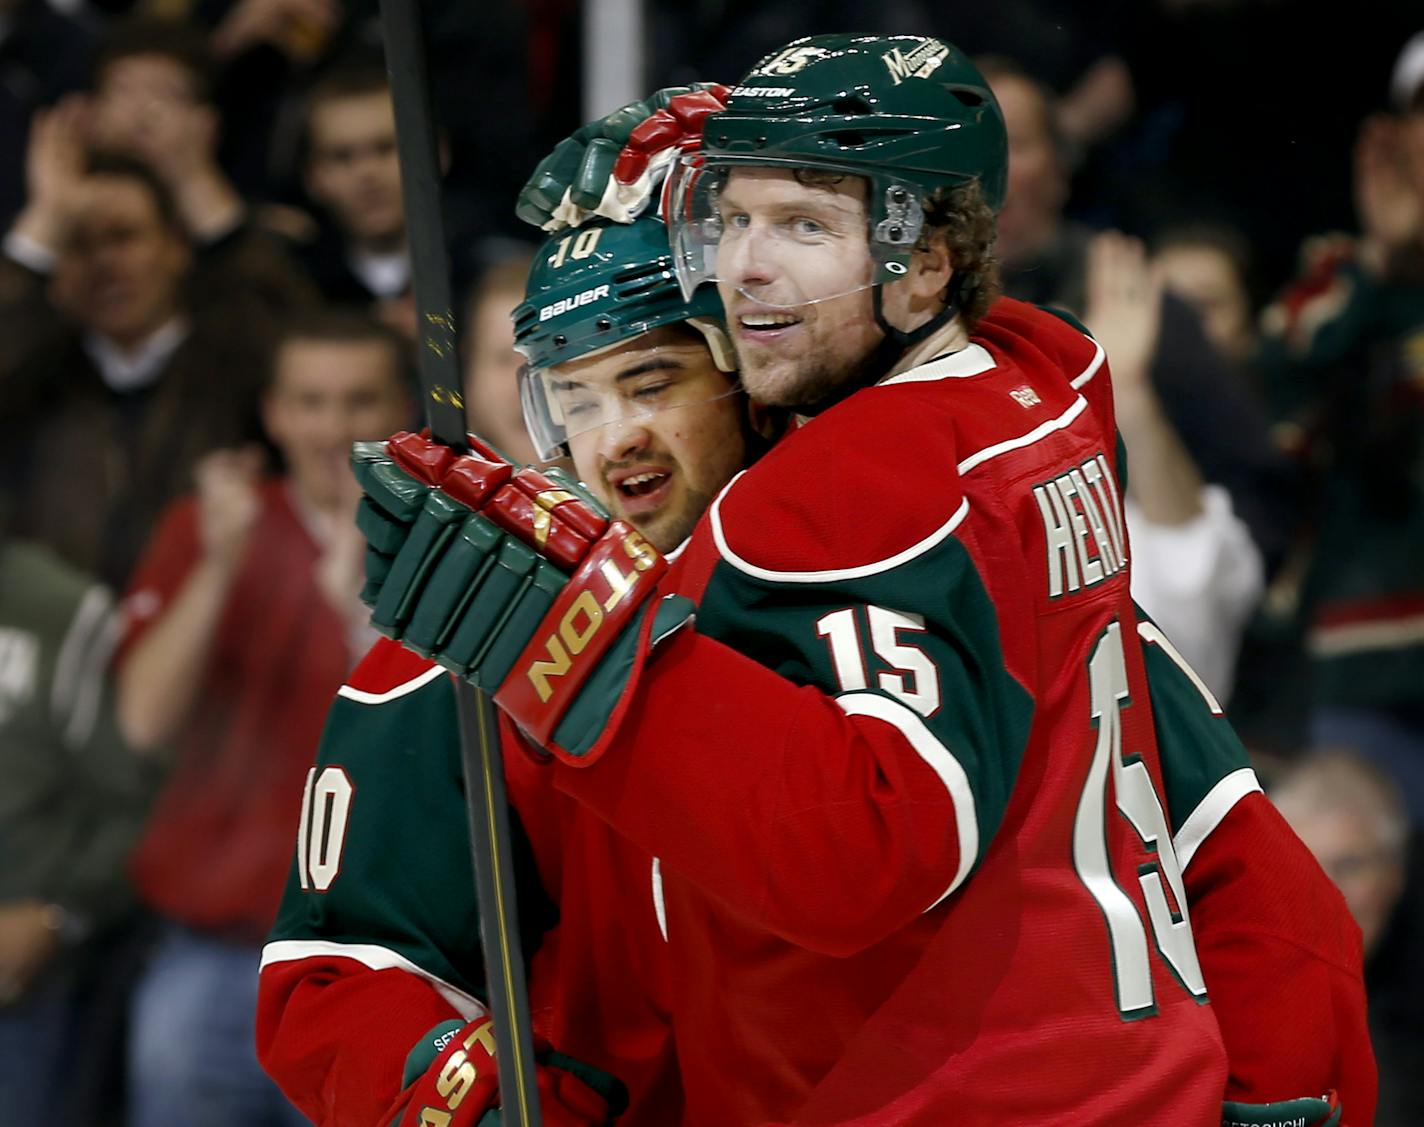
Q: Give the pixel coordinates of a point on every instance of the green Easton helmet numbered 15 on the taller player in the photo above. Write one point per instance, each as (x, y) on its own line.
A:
(909, 113)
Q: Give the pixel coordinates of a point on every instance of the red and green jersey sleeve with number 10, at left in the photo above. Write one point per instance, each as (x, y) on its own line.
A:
(377, 937)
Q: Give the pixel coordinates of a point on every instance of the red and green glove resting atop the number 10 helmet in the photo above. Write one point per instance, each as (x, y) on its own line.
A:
(614, 166)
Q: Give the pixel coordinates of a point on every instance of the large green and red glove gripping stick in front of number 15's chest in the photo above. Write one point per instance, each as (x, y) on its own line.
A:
(515, 581)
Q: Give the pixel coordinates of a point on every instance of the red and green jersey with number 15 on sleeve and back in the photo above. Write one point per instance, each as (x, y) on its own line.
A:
(916, 863)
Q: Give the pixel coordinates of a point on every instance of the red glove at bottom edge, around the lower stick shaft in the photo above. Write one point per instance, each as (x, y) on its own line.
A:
(451, 1082)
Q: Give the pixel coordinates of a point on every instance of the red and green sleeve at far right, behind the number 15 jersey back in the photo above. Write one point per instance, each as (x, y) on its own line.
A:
(1258, 900)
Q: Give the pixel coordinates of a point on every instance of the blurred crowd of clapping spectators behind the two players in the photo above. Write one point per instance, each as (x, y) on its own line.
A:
(206, 298)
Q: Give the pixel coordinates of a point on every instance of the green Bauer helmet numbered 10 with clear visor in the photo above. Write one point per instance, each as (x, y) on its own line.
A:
(590, 290)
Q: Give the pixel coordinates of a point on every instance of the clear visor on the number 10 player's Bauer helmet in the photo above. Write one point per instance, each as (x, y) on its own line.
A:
(622, 388)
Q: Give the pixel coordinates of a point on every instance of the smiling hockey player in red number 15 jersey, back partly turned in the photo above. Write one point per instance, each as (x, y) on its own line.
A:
(916, 833)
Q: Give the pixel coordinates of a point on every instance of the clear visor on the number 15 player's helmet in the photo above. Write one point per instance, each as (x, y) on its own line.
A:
(728, 233)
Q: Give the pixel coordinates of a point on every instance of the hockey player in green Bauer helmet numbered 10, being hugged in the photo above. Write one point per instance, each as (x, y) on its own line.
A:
(632, 381)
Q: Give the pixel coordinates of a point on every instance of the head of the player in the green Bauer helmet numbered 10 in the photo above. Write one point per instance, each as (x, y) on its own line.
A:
(634, 383)
